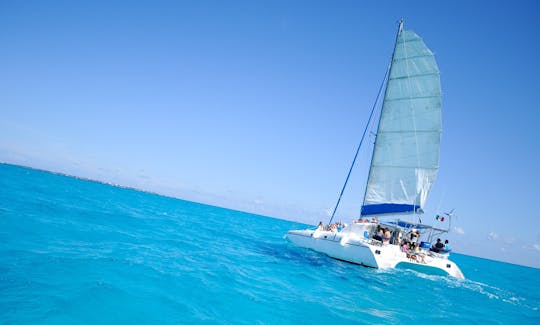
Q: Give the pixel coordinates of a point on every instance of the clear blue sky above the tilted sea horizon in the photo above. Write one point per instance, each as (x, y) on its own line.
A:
(259, 105)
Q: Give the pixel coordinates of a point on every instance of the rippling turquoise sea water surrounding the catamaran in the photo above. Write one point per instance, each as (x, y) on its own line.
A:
(74, 251)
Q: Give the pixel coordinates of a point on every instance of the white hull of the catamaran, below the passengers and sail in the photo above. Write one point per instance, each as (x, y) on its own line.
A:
(352, 246)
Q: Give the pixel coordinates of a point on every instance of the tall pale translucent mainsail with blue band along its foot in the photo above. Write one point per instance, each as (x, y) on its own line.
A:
(406, 154)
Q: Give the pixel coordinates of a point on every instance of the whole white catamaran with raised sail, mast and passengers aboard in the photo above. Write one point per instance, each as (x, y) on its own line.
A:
(403, 168)
